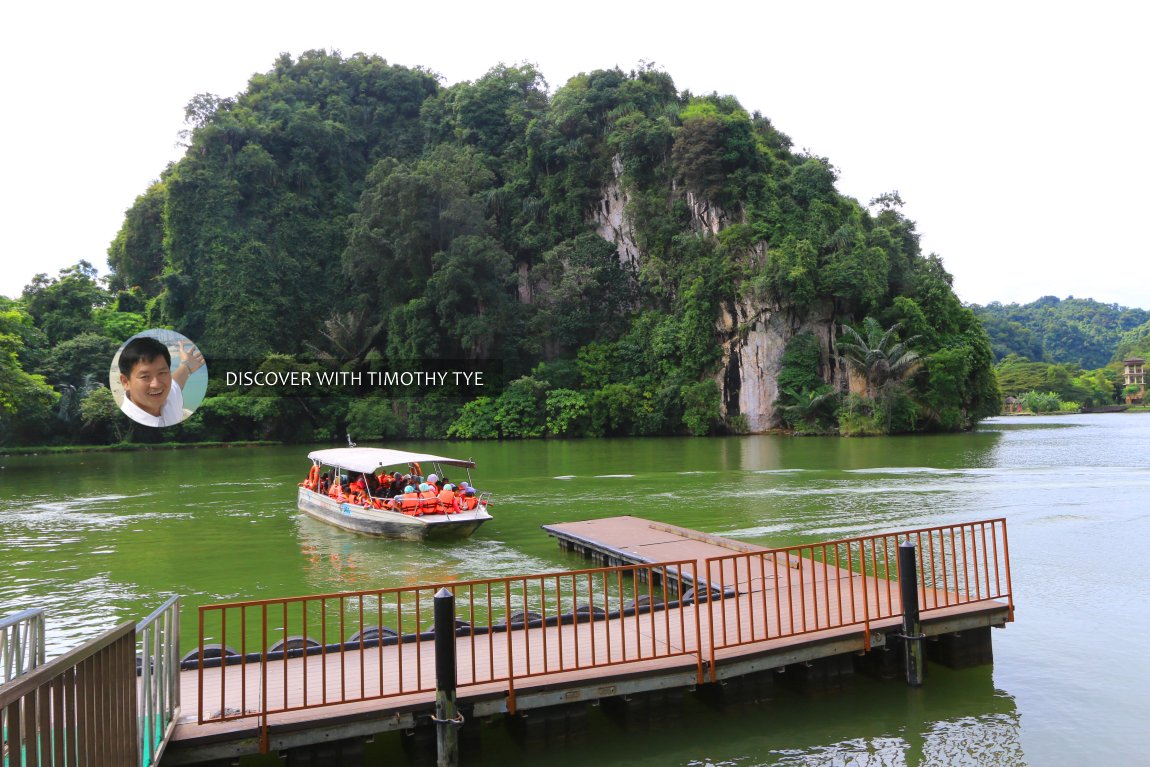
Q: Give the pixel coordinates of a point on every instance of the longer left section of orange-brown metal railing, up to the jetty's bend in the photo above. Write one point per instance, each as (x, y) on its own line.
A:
(257, 658)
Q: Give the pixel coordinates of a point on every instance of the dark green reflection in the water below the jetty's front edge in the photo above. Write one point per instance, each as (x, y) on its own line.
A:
(959, 719)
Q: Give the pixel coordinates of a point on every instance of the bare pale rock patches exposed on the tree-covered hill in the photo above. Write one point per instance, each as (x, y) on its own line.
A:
(754, 335)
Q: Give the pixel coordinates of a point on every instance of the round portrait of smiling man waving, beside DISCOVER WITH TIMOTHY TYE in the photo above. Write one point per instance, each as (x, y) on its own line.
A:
(158, 378)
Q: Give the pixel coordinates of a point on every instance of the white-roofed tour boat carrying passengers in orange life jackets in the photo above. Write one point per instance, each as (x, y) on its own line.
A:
(365, 518)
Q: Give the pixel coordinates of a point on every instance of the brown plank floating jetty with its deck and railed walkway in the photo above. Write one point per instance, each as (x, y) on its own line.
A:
(671, 609)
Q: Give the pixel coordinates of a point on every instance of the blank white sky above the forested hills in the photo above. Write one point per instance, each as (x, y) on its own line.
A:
(1017, 133)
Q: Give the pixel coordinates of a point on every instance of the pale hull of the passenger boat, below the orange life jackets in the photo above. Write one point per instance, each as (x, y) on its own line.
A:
(390, 525)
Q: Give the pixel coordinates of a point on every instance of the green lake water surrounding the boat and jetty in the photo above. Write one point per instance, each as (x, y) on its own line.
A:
(97, 539)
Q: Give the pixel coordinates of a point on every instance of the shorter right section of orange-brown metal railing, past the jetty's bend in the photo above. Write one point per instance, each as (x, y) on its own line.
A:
(796, 590)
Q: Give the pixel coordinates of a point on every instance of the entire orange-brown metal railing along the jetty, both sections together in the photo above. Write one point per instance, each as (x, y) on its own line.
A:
(258, 658)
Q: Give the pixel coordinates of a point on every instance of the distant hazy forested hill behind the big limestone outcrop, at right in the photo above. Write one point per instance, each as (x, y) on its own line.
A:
(1078, 331)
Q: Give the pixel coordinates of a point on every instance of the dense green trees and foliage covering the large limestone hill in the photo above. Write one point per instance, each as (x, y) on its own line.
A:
(362, 210)
